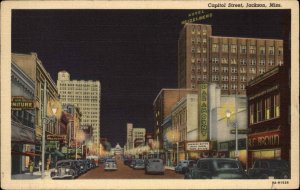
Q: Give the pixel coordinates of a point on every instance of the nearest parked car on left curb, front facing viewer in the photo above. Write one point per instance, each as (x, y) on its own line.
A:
(65, 169)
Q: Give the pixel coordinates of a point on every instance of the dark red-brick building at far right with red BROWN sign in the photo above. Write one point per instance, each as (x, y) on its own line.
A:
(269, 115)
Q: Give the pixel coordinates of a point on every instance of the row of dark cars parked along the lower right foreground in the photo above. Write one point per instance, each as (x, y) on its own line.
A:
(225, 168)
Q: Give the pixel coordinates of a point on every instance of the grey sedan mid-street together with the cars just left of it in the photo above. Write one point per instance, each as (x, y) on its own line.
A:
(151, 166)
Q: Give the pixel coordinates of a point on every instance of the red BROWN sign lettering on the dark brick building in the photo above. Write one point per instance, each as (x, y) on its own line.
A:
(264, 140)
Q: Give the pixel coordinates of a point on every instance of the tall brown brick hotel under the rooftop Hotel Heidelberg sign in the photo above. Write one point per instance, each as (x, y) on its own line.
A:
(229, 61)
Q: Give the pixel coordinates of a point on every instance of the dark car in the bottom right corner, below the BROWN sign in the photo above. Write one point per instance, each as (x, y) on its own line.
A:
(270, 169)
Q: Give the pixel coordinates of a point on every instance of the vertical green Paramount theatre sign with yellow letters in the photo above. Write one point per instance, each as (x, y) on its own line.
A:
(203, 112)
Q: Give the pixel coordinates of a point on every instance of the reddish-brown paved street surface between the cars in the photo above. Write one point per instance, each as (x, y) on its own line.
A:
(125, 172)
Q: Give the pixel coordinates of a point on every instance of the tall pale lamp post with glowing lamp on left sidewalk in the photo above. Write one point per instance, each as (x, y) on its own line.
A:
(46, 121)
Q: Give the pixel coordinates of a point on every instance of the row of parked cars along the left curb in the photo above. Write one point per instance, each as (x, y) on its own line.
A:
(71, 168)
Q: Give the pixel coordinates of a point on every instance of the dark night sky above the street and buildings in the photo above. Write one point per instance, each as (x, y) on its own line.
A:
(132, 52)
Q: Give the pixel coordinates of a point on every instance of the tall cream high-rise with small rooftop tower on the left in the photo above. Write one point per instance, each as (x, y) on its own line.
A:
(83, 94)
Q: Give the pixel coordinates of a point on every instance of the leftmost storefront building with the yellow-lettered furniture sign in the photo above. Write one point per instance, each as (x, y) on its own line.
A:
(22, 120)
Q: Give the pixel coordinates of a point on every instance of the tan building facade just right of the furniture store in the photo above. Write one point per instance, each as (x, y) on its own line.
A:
(32, 66)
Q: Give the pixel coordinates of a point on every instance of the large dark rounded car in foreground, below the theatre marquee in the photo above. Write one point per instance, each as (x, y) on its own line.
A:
(217, 168)
